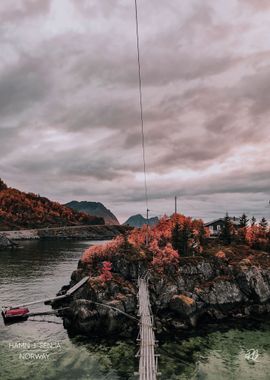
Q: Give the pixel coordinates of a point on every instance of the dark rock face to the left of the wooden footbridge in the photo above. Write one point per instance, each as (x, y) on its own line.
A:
(93, 308)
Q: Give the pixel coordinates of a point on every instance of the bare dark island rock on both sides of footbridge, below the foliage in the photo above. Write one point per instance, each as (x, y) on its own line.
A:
(201, 289)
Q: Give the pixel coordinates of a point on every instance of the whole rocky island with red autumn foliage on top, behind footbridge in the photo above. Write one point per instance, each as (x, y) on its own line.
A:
(192, 279)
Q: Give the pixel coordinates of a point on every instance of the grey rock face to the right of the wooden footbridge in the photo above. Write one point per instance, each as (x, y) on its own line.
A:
(207, 289)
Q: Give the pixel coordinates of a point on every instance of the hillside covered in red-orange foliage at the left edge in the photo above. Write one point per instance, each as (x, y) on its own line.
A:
(19, 210)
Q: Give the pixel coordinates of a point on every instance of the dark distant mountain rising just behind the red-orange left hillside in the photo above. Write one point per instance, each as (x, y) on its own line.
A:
(94, 208)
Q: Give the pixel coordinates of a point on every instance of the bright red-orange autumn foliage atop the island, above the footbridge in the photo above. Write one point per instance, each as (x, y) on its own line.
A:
(170, 239)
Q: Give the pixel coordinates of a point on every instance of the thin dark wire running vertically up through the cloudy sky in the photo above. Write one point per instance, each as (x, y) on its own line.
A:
(141, 107)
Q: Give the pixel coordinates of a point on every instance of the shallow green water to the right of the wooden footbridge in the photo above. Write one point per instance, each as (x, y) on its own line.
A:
(217, 355)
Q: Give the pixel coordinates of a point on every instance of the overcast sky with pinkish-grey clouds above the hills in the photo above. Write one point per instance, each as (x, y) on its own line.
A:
(69, 108)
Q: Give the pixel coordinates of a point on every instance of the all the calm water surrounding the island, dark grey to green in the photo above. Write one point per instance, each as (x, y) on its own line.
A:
(39, 270)
